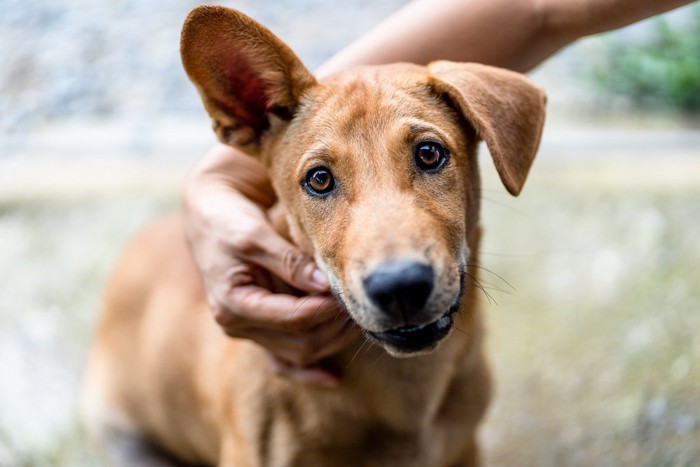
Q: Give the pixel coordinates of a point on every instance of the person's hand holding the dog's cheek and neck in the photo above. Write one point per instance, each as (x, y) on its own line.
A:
(237, 249)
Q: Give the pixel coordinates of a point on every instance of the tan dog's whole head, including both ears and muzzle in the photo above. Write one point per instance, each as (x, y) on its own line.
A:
(376, 167)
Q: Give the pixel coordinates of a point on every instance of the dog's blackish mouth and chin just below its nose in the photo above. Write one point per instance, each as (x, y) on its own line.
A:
(408, 341)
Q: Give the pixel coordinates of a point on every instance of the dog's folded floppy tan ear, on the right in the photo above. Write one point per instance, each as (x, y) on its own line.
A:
(505, 109)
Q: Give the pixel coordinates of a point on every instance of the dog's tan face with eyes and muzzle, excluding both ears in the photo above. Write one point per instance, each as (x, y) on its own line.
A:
(377, 174)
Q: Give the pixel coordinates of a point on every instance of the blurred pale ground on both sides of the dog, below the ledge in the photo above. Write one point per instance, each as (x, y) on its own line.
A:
(595, 352)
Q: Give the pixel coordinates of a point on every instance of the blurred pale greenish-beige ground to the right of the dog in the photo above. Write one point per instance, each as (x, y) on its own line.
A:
(596, 352)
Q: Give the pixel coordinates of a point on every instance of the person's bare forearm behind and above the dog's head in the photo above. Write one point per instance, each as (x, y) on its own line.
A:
(515, 34)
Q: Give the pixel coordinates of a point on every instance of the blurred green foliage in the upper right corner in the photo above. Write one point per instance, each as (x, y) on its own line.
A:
(663, 71)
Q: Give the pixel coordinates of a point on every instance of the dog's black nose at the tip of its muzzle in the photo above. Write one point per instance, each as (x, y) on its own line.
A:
(400, 286)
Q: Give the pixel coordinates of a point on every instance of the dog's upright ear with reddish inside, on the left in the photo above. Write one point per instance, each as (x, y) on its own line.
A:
(243, 72)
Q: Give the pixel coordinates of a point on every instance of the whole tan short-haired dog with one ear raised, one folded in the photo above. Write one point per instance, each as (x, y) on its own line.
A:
(376, 170)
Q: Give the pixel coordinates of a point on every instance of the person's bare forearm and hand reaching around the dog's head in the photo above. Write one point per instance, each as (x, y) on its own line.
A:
(227, 195)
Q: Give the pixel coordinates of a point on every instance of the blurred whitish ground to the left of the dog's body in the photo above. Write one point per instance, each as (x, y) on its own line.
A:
(56, 254)
